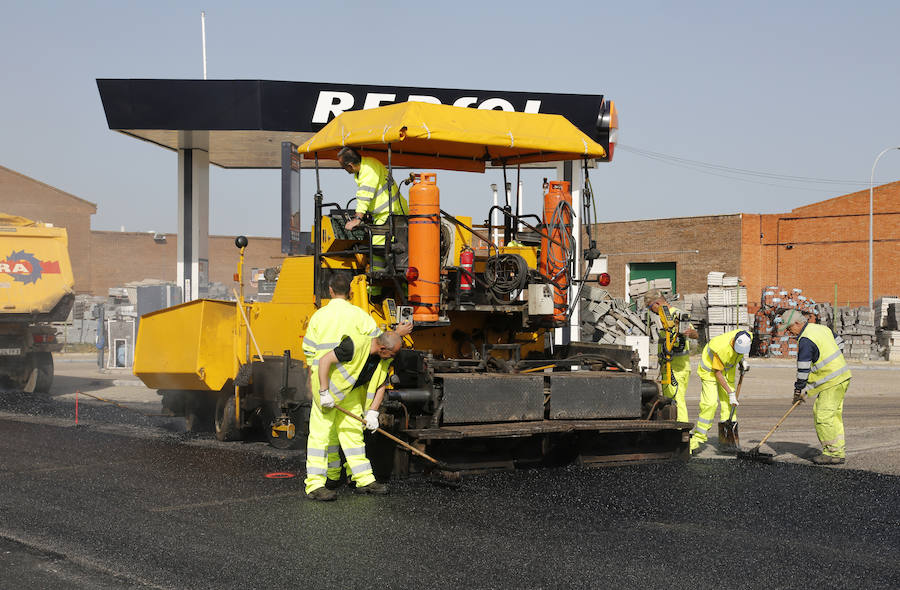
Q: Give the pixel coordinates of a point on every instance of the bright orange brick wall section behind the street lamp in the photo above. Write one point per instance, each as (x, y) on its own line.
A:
(823, 246)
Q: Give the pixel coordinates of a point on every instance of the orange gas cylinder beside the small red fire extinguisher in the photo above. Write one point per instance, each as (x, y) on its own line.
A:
(424, 272)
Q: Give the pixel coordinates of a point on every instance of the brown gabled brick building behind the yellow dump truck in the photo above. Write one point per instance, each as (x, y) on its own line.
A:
(21, 195)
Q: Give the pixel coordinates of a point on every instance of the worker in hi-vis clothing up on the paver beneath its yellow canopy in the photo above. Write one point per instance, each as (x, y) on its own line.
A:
(372, 197)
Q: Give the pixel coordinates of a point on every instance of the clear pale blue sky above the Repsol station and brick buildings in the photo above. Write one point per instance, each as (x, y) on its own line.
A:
(800, 89)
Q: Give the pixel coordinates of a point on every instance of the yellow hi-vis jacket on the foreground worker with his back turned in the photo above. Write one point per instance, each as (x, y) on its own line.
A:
(327, 328)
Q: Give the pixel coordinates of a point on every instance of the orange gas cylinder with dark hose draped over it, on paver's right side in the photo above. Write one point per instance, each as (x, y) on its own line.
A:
(555, 256)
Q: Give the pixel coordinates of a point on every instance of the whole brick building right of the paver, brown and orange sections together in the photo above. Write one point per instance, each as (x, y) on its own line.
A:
(821, 248)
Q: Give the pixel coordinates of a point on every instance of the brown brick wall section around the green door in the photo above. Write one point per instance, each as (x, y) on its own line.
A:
(696, 245)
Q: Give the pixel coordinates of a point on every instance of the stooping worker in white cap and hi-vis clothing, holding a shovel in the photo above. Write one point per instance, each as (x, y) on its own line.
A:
(718, 363)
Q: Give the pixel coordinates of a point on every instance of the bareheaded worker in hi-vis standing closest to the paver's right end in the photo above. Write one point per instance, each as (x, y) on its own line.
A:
(674, 382)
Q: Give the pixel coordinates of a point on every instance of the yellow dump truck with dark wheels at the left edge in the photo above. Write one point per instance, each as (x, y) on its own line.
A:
(36, 288)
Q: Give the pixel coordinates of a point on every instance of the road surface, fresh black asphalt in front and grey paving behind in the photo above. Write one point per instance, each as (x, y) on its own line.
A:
(128, 500)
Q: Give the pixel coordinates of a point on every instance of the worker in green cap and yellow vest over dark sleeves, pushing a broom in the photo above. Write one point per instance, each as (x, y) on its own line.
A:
(822, 372)
